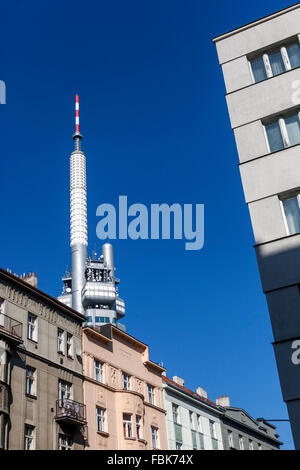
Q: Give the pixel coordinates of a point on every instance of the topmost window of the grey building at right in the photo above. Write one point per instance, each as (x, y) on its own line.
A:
(276, 62)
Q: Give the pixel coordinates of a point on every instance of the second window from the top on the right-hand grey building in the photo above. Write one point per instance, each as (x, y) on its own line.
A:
(283, 132)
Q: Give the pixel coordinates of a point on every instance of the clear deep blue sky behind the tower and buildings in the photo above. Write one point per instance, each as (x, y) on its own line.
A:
(156, 129)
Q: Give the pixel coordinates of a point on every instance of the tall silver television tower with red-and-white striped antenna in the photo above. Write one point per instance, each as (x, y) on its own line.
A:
(91, 287)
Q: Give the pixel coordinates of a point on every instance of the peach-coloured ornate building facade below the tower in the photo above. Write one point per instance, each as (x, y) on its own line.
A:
(122, 392)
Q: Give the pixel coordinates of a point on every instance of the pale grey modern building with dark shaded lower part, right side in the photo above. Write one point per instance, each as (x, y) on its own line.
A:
(261, 68)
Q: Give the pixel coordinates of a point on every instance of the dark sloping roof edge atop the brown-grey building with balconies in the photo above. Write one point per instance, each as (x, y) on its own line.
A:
(42, 295)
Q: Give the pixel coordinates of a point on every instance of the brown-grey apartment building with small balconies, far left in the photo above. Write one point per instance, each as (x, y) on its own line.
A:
(41, 381)
